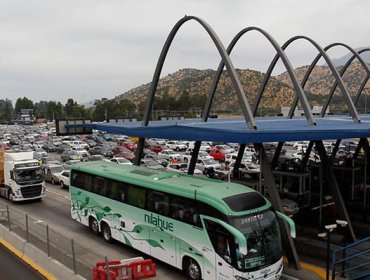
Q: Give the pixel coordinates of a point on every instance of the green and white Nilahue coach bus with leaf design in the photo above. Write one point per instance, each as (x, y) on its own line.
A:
(209, 228)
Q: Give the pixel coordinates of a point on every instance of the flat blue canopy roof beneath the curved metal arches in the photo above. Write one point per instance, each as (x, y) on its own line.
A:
(269, 129)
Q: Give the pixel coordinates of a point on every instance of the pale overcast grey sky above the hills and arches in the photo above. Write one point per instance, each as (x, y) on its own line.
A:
(91, 49)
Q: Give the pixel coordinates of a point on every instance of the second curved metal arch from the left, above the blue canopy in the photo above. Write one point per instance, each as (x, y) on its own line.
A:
(288, 66)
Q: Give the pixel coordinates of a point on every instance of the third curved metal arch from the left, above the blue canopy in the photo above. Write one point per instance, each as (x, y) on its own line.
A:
(337, 77)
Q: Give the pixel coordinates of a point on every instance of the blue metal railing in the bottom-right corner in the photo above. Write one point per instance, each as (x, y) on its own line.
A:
(352, 261)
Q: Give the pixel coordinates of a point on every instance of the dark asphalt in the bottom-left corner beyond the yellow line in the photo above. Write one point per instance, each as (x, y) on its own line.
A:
(13, 268)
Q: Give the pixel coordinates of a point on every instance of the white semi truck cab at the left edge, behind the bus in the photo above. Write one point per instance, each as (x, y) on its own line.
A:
(21, 176)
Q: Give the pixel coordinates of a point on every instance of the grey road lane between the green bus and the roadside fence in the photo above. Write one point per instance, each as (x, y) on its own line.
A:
(54, 210)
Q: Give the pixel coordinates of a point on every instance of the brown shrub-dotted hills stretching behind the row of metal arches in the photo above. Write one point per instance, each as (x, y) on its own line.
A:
(195, 84)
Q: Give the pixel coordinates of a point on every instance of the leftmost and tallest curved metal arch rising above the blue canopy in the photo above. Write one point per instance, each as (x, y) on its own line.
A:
(225, 58)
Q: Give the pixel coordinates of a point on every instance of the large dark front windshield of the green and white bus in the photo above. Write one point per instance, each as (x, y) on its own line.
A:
(261, 231)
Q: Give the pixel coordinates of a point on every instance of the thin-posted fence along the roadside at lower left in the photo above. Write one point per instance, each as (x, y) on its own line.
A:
(65, 250)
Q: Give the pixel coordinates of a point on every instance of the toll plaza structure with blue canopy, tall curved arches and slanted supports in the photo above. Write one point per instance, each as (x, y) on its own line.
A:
(258, 130)
